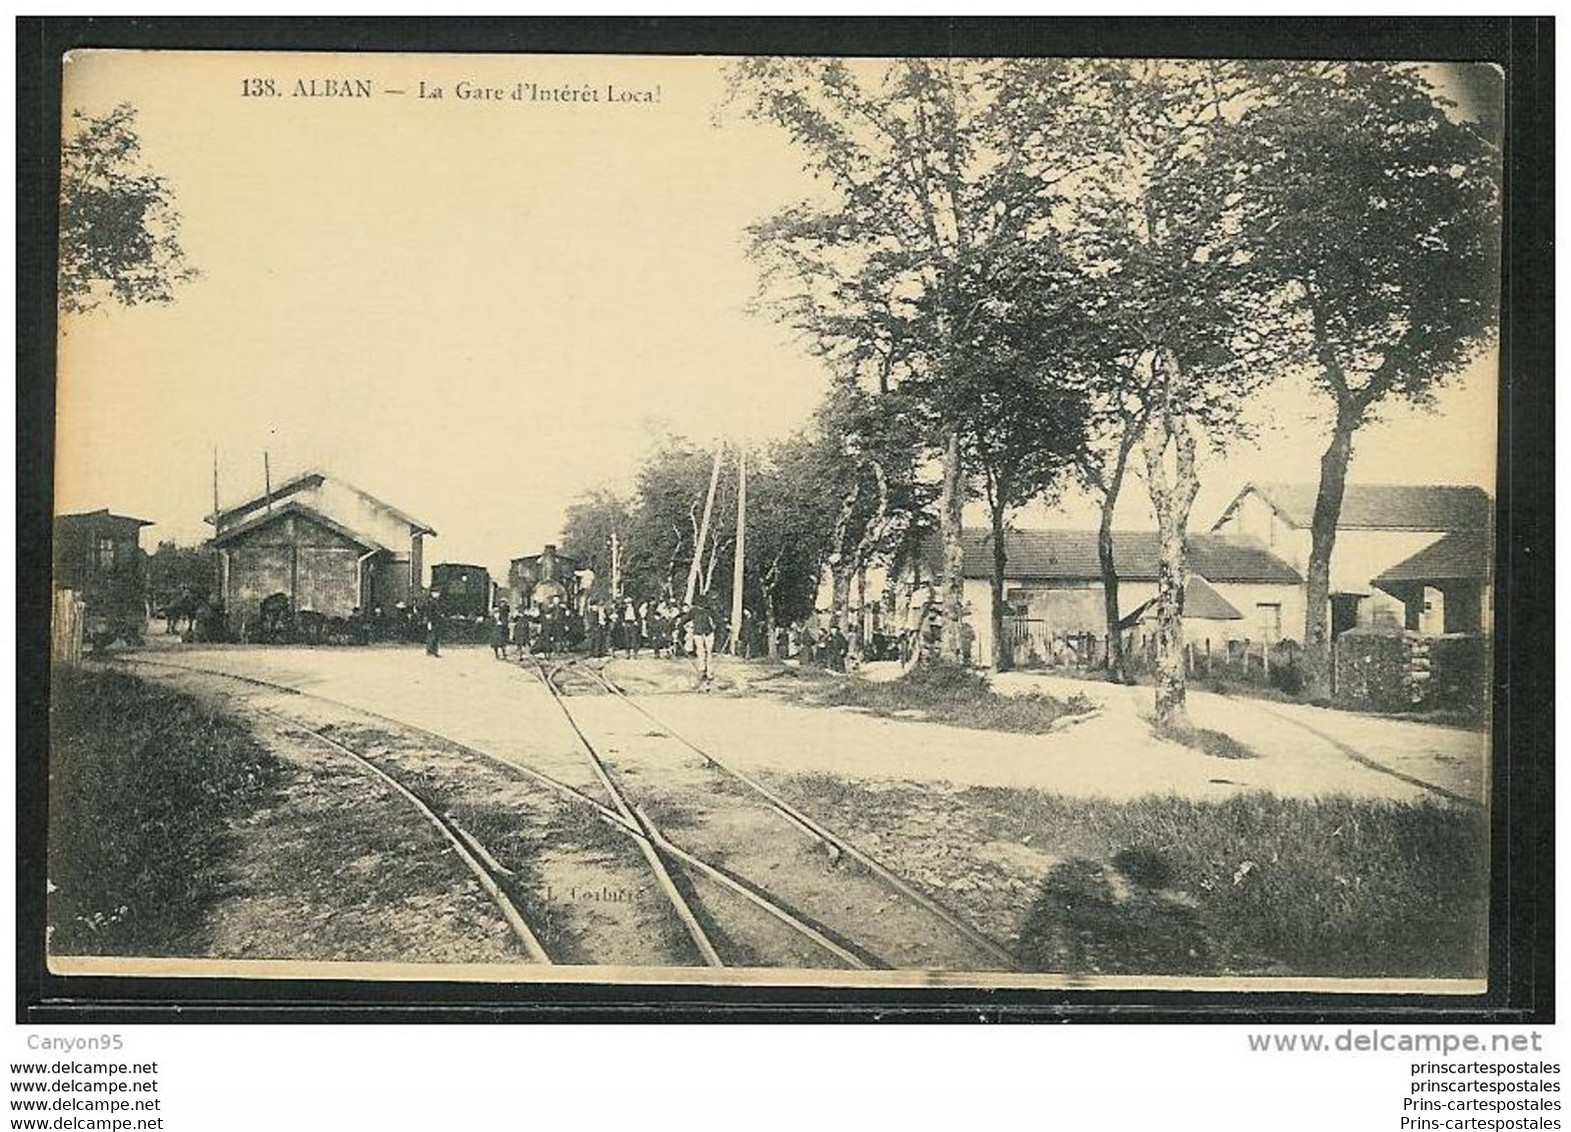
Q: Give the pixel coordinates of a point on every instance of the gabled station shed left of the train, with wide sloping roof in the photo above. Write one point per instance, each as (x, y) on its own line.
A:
(329, 546)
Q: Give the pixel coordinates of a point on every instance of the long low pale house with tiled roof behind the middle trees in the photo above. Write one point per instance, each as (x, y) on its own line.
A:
(1239, 588)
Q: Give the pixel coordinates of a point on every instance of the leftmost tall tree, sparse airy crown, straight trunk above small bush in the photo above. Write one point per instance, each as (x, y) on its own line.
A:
(926, 175)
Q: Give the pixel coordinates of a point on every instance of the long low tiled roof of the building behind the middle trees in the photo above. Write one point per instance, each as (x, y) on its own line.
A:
(1072, 557)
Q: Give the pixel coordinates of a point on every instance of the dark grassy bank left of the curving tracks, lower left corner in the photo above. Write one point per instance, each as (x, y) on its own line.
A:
(144, 787)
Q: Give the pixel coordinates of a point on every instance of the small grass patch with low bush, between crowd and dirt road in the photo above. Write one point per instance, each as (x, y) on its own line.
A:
(945, 695)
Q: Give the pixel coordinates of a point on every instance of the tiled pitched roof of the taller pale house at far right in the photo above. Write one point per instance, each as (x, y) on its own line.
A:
(1379, 506)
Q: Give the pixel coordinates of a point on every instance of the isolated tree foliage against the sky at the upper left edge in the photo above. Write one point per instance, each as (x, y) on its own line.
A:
(119, 225)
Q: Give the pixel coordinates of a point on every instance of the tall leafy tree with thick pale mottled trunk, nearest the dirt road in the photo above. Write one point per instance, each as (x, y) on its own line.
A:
(1170, 224)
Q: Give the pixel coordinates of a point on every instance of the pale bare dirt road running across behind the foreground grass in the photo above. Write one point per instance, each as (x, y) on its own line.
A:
(1298, 751)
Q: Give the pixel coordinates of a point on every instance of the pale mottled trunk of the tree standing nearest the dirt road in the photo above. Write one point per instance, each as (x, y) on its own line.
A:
(1173, 497)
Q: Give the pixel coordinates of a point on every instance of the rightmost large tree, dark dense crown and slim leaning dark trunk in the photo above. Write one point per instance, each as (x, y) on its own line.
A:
(1382, 225)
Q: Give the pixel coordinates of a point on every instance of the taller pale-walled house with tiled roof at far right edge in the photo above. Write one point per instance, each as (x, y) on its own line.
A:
(1407, 555)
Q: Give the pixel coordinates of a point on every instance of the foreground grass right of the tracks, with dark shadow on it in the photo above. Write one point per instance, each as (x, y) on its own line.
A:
(1253, 885)
